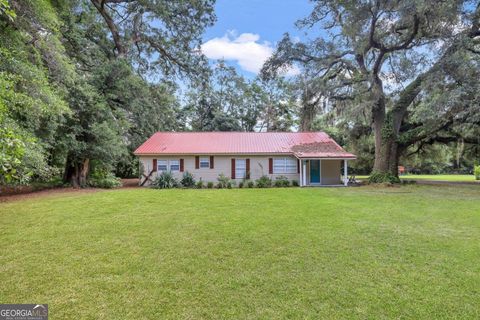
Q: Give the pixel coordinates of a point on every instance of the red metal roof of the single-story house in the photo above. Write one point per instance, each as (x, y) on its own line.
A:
(300, 144)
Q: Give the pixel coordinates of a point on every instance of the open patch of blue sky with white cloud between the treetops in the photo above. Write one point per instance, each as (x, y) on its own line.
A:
(247, 31)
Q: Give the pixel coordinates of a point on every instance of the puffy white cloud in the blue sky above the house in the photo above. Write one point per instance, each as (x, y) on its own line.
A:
(245, 49)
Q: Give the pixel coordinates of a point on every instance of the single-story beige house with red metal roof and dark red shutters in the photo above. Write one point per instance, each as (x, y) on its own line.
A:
(311, 158)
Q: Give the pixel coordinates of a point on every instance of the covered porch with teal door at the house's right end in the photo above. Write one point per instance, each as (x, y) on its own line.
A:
(323, 172)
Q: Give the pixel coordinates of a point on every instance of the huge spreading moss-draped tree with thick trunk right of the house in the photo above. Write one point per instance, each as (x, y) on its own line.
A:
(388, 60)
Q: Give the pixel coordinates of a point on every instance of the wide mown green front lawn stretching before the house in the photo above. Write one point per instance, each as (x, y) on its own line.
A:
(409, 252)
